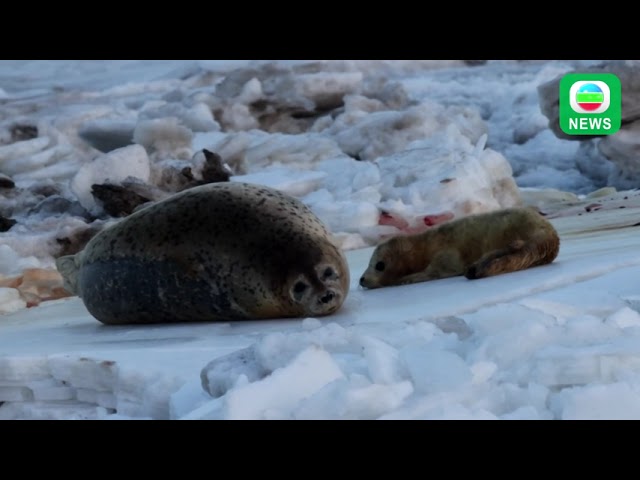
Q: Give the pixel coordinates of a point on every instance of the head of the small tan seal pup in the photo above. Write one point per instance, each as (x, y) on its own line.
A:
(389, 262)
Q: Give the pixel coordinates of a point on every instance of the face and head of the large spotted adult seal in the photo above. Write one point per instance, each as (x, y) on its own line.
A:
(321, 288)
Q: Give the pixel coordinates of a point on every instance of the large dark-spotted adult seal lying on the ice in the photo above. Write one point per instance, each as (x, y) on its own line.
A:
(217, 252)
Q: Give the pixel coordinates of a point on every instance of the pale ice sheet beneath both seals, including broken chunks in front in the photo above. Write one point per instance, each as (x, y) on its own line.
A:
(561, 341)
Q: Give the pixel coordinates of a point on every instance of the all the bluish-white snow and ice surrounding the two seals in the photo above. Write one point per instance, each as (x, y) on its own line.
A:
(417, 140)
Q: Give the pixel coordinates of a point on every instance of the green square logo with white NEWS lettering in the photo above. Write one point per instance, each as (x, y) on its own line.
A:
(590, 104)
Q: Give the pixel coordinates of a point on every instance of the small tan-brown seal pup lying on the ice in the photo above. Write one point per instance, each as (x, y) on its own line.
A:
(475, 246)
